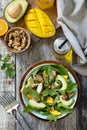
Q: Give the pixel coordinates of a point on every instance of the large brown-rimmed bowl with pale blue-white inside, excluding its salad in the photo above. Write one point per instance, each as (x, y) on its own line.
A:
(28, 73)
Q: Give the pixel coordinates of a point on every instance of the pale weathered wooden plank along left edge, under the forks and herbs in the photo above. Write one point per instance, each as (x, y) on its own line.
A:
(6, 121)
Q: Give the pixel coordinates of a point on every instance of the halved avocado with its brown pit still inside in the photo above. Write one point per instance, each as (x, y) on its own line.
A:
(14, 11)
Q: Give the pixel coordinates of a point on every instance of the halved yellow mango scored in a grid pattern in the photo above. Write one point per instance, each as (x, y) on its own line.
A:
(39, 23)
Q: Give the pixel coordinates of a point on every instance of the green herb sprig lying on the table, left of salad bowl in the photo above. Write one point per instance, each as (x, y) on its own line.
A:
(7, 66)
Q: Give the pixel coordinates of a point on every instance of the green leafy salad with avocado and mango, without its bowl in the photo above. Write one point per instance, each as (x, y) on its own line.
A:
(50, 91)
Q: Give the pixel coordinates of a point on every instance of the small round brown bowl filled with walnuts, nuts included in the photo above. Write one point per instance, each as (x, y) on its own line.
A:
(17, 39)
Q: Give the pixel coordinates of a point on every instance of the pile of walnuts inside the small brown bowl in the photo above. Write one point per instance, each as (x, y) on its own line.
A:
(17, 40)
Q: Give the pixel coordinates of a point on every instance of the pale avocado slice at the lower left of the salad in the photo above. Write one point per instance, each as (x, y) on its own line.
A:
(36, 104)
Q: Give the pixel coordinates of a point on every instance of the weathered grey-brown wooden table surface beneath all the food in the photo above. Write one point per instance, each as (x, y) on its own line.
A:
(40, 49)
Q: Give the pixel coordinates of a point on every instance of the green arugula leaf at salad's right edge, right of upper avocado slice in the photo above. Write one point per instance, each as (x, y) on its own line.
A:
(71, 87)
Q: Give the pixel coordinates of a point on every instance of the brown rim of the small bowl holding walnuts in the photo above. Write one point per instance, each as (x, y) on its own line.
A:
(18, 28)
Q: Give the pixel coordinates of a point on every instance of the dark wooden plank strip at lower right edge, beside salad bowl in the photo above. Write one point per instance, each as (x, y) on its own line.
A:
(82, 105)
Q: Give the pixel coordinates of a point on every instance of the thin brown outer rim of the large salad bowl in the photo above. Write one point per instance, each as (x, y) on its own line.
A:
(48, 62)
